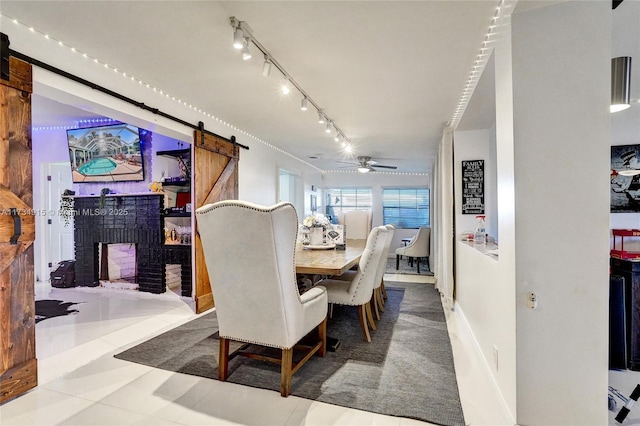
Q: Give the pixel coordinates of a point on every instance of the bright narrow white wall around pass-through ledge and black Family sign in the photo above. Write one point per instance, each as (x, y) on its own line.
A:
(485, 286)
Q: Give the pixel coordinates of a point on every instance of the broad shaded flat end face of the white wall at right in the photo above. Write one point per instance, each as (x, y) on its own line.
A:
(561, 94)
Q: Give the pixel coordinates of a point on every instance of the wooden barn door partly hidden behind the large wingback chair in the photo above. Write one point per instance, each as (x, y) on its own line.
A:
(215, 178)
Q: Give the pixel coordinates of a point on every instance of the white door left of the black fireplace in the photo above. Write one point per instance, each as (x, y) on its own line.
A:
(59, 238)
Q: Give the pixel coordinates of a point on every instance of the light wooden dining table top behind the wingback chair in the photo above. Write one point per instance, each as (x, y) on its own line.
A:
(329, 262)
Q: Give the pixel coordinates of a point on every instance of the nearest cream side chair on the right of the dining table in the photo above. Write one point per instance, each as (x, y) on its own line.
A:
(359, 290)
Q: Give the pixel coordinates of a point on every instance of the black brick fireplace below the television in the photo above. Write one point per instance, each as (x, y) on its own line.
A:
(122, 218)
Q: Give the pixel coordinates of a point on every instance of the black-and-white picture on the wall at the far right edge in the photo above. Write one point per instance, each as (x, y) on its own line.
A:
(625, 179)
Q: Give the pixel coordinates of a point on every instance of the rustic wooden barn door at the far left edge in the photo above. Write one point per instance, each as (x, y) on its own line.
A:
(18, 365)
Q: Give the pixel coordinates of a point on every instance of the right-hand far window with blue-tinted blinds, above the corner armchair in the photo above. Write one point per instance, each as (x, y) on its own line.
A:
(405, 207)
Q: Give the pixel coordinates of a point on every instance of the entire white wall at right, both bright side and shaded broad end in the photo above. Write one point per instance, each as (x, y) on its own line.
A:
(552, 95)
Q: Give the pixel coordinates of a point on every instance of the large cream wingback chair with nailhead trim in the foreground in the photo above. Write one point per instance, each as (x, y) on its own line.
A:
(249, 252)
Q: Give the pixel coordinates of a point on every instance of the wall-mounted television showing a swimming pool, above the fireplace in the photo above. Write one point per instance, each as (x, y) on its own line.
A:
(106, 154)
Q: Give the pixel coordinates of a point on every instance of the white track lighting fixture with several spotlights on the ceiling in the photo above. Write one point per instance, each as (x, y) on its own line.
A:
(242, 37)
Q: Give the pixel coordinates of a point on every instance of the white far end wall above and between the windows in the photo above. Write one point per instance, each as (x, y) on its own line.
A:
(376, 181)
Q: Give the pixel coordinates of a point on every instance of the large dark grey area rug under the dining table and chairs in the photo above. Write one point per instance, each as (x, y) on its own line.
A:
(407, 370)
